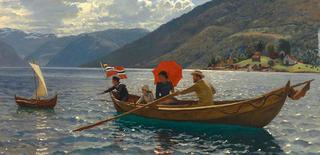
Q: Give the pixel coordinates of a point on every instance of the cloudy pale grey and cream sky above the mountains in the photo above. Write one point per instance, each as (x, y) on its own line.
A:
(67, 17)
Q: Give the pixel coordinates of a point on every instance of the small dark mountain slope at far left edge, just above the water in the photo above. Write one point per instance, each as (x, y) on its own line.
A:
(8, 56)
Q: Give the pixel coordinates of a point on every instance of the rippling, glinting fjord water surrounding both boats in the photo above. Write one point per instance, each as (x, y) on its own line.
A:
(28, 131)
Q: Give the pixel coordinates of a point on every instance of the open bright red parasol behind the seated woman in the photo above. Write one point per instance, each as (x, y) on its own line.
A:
(173, 69)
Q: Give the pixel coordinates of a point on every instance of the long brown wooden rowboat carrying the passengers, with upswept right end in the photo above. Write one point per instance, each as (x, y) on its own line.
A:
(256, 112)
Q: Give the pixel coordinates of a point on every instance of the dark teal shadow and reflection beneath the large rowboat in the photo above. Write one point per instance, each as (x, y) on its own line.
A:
(233, 139)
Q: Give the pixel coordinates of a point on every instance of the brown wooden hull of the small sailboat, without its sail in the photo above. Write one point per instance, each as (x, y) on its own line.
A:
(33, 103)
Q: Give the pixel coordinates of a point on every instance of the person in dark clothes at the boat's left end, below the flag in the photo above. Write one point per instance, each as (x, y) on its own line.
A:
(120, 89)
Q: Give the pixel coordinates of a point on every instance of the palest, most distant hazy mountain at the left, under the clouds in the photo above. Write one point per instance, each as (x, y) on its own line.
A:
(24, 43)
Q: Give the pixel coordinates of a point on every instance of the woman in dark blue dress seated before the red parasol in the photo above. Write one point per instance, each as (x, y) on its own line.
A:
(164, 86)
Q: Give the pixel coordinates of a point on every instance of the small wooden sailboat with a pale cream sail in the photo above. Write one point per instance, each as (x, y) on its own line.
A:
(38, 101)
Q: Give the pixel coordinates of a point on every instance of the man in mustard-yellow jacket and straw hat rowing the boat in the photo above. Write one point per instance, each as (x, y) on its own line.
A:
(203, 90)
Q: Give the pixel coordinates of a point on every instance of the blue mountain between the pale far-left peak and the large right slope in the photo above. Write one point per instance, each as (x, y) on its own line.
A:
(90, 46)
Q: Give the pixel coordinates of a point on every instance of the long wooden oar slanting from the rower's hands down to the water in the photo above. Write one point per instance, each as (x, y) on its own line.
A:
(124, 114)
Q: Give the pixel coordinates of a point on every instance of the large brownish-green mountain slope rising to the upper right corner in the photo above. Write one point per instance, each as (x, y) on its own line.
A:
(221, 26)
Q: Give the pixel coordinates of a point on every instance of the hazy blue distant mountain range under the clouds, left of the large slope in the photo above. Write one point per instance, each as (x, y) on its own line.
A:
(68, 51)
